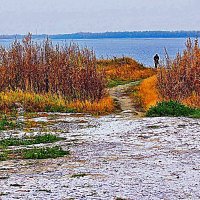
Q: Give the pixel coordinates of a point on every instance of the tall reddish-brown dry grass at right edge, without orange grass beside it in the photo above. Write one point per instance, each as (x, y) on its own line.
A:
(180, 79)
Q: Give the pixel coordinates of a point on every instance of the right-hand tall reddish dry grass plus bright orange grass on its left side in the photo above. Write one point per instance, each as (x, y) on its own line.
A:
(178, 80)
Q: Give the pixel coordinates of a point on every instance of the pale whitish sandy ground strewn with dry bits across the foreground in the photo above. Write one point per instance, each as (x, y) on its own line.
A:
(118, 157)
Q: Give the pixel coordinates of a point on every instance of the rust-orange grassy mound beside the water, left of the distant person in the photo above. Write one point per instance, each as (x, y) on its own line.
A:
(125, 69)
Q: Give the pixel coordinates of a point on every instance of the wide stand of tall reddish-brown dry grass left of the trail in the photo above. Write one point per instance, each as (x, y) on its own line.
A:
(66, 71)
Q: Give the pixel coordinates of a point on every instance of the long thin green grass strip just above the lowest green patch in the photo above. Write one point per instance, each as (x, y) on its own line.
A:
(47, 138)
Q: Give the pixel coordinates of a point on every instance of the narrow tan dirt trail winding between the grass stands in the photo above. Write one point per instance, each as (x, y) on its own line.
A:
(121, 95)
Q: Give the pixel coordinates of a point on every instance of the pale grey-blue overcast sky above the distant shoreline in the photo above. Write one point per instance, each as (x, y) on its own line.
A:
(70, 16)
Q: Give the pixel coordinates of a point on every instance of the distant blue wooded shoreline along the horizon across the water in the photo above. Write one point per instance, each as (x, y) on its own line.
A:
(113, 35)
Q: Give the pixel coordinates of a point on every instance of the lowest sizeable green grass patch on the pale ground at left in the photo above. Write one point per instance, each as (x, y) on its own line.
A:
(43, 153)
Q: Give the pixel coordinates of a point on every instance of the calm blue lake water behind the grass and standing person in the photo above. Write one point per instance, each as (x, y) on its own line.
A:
(142, 49)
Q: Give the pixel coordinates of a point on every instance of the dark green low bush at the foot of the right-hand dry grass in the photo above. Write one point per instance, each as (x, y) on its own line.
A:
(172, 109)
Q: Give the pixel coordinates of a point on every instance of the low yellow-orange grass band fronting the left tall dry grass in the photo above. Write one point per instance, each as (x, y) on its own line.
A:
(33, 102)
